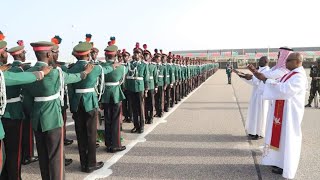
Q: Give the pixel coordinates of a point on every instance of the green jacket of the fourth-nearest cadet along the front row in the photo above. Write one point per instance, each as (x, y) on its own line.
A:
(138, 76)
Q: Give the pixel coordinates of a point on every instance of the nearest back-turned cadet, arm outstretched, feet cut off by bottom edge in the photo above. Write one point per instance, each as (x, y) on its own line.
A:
(45, 99)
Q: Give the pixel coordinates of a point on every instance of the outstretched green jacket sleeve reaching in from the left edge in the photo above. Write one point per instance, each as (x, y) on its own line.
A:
(12, 79)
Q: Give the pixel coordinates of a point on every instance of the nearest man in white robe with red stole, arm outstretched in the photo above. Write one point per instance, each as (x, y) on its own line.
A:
(283, 135)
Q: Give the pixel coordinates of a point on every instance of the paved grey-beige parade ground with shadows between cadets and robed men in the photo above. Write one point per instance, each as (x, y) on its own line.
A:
(203, 137)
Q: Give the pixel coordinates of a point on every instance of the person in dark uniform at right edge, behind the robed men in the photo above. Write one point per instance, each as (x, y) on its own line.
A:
(315, 82)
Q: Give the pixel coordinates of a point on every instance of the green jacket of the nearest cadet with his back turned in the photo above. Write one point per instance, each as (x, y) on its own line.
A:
(46, 115)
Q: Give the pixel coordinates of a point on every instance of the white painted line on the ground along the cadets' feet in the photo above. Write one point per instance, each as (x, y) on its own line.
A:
(105, 171)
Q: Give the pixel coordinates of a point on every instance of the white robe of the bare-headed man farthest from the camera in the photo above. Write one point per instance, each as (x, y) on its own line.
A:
(258, 107)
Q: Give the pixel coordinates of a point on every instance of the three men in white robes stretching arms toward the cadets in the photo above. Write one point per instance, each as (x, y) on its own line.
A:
(276, 109)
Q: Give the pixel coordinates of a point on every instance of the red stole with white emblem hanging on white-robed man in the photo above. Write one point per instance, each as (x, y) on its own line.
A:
(278, 117)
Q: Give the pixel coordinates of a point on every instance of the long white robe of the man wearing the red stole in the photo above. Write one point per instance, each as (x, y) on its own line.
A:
(293, 91)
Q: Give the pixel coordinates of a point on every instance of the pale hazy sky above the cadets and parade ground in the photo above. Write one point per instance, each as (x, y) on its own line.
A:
(166, 24)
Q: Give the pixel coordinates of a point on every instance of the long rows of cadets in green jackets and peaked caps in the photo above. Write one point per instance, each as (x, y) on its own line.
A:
(34, 102)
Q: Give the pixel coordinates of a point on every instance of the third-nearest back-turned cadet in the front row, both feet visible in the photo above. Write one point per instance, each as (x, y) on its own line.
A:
(111, 100)
